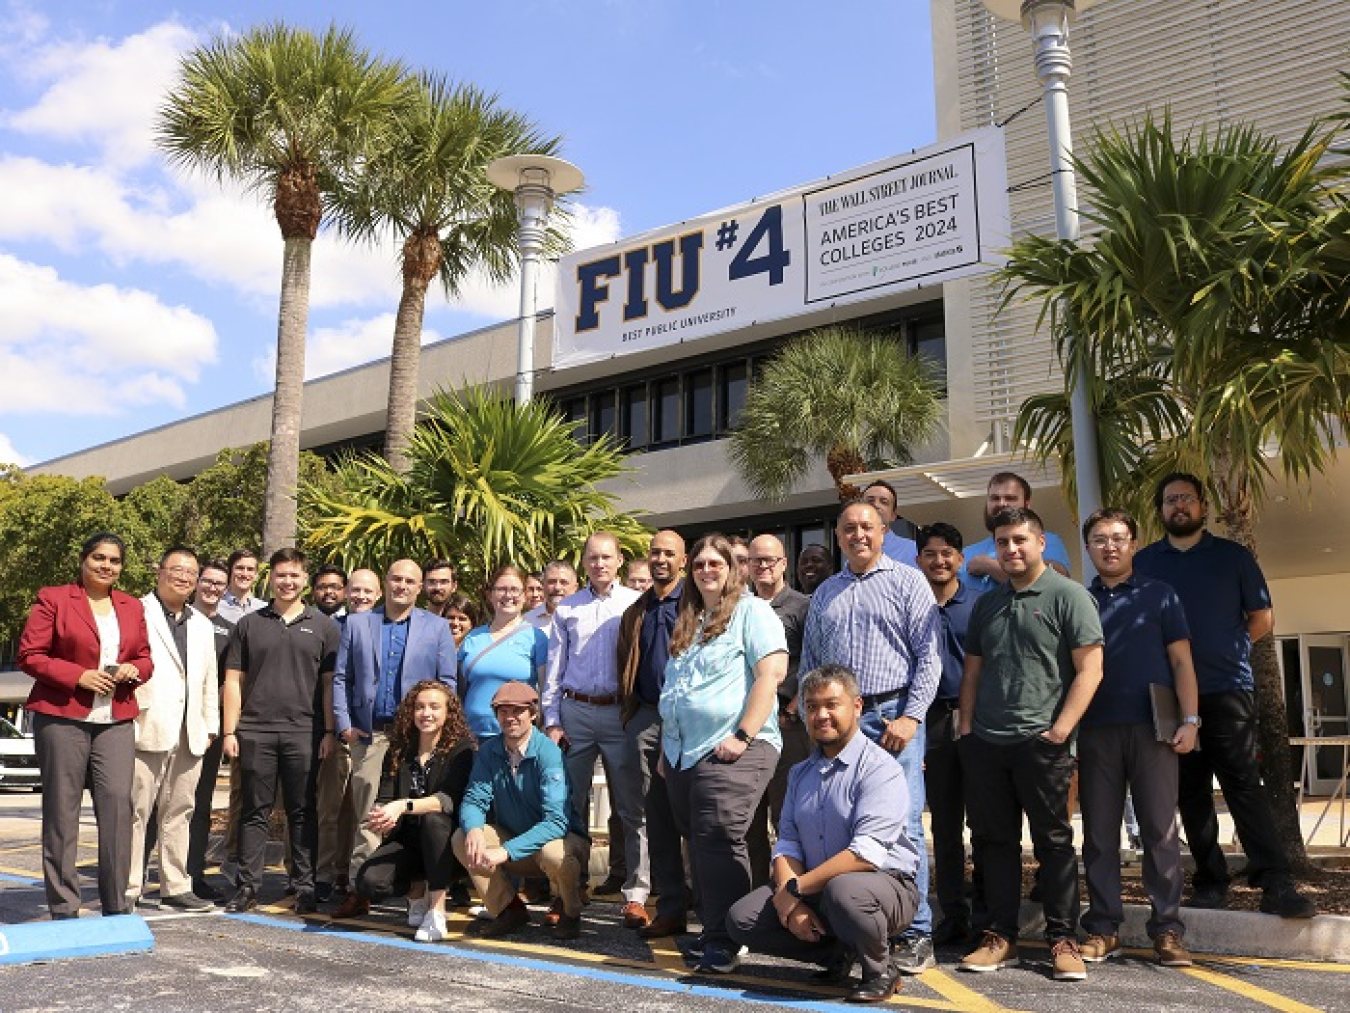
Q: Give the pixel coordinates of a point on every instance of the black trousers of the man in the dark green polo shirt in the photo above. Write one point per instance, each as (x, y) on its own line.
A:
(1002, 783)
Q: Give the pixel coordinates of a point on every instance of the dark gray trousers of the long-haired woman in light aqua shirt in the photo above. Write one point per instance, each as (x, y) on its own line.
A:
(713, 806)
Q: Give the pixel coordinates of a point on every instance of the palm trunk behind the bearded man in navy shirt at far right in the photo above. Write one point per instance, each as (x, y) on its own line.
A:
(1272, 718)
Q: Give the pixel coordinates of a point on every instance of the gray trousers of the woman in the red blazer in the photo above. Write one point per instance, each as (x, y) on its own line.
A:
(70, 753)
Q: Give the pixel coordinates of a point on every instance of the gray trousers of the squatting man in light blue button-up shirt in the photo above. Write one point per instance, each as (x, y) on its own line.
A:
(862, 912)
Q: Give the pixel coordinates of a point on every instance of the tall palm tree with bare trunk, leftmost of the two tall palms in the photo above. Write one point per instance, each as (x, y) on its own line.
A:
(281, 111)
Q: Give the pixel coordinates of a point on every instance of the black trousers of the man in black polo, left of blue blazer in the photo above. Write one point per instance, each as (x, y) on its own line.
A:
(290, 761)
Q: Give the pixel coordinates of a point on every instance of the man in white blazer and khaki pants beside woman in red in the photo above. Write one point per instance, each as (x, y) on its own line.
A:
(179, 719)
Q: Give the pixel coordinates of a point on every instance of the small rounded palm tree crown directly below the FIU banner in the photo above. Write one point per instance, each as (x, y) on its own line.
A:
(857, 398)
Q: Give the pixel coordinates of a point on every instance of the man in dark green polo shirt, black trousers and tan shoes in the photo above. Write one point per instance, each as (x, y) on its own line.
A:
(1033, 661)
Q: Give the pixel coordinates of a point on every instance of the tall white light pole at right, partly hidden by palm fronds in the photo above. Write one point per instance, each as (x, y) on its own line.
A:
(1048, 21)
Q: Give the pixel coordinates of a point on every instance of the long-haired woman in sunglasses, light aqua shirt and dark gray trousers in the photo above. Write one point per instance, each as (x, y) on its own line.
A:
(720, 739)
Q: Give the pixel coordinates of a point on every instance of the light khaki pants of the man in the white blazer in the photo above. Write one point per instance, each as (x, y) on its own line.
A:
(171, 781)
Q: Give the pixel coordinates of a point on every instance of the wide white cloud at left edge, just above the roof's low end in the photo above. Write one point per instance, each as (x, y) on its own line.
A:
(94, 350)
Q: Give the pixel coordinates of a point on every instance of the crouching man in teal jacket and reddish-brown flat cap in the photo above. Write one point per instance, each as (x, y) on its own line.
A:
(520, 777)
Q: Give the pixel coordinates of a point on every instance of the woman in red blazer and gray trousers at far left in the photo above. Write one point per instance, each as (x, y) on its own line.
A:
(87, 649)
